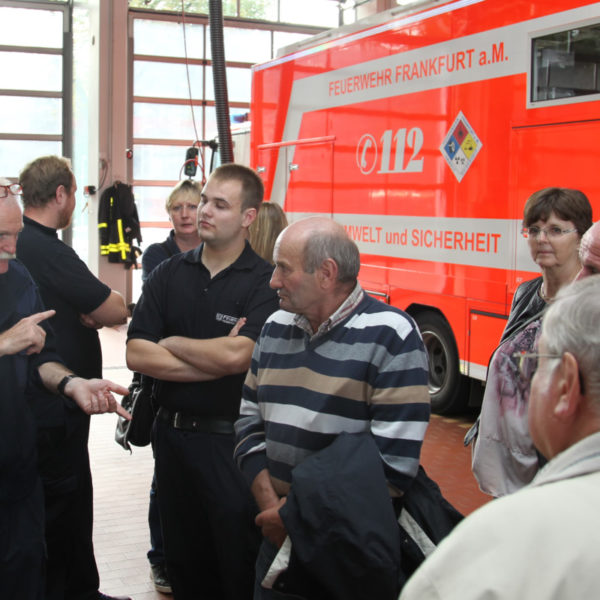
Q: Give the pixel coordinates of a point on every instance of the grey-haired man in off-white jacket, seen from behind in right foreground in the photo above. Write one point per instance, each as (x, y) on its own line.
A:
(539, 542)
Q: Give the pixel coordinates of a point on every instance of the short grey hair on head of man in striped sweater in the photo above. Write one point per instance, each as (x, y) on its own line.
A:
(322, 245)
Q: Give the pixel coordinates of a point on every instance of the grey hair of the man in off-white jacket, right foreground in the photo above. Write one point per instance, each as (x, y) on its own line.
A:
(572, 324)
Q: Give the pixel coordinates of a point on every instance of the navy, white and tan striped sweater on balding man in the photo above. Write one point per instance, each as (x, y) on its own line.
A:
(369, 372)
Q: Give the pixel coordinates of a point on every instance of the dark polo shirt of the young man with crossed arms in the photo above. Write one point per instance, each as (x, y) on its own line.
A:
(180, 298)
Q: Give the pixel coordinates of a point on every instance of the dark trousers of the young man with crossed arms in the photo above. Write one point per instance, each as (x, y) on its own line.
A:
(207, 515)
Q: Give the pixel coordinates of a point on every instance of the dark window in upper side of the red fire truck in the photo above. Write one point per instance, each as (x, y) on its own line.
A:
(566, 64)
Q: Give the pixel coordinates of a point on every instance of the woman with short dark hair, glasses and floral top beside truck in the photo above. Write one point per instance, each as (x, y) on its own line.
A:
(504, 457)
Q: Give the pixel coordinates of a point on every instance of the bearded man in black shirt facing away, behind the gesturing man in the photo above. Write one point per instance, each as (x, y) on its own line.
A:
(83, 304)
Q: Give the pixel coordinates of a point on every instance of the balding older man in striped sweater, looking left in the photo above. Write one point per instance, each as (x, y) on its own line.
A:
(333, 359)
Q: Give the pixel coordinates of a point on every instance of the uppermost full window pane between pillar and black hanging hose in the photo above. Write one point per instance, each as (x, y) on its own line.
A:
(165, 38)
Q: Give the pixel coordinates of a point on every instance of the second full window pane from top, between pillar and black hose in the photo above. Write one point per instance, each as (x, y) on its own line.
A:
(166, 80)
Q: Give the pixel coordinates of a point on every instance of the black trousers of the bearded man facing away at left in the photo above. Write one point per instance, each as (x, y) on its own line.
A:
(71, 572)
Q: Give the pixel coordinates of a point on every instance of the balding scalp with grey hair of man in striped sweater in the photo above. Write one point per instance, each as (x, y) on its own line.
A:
(317, 239)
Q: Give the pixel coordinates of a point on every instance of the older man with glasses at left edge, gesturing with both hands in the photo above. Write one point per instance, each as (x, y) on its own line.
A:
(28, 355)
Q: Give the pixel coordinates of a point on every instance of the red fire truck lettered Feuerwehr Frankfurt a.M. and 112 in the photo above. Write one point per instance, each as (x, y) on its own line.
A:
(423, 133)
